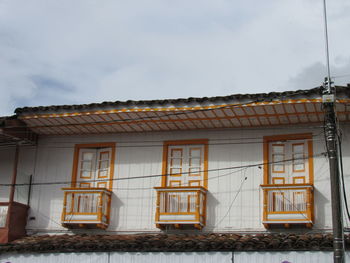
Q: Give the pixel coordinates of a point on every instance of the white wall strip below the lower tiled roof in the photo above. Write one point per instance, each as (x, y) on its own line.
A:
(191, 257)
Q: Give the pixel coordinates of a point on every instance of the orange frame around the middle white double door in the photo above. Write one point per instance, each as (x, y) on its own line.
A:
(185, 142)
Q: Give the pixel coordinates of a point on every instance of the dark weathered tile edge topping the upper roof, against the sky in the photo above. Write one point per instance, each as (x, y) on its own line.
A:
(129, 103)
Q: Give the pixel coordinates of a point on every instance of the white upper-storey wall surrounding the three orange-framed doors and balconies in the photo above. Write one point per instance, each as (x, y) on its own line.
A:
(231, 205)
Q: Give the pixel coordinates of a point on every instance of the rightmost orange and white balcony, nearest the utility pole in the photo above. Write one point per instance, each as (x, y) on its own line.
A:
(288, 204)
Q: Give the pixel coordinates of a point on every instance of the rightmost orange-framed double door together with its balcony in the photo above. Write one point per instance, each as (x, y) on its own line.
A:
(288, 180)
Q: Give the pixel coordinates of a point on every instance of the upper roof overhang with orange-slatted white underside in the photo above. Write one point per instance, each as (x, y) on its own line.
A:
(234, 111)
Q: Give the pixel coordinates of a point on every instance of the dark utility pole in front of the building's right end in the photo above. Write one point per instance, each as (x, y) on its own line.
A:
(329, 100)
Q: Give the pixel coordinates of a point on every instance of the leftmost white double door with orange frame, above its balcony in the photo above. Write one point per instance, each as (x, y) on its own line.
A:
(93, 165)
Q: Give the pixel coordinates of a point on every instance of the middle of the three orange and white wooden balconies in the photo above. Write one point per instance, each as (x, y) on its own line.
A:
(180, 206)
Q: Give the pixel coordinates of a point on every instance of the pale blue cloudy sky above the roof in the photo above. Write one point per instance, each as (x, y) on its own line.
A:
(83, 51)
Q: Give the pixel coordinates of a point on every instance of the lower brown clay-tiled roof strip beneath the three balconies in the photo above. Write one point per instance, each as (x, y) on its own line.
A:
(171, 243)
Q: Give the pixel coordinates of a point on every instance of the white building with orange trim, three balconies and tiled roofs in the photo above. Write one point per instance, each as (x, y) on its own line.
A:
(220, 176)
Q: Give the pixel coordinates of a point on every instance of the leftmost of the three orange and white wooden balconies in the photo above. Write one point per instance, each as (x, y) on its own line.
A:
(86, 207)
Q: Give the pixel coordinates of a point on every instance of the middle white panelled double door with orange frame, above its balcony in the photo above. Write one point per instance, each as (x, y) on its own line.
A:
(185, 163)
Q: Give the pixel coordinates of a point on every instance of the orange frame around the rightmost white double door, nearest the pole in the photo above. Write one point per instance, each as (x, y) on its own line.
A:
(275, 138)
